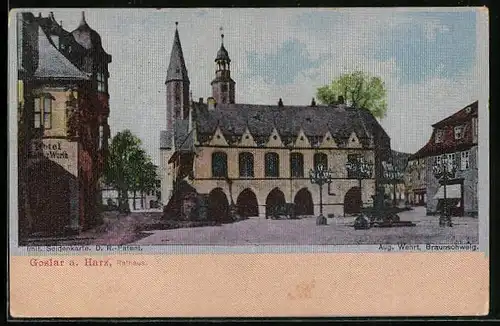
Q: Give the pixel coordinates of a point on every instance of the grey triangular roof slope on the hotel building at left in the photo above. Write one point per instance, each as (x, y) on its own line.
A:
(52, 63)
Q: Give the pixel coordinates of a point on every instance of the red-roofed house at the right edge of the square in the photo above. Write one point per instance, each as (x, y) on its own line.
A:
(456, 139)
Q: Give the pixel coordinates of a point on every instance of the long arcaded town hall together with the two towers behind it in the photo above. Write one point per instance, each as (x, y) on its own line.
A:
(257, 158)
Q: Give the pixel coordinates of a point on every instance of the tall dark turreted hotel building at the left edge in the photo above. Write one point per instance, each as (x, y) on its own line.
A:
(63, 128)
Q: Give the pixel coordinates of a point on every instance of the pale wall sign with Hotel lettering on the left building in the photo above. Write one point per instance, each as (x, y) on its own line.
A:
(62, 152)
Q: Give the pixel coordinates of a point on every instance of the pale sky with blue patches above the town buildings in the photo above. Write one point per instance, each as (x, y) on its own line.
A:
(428, 60)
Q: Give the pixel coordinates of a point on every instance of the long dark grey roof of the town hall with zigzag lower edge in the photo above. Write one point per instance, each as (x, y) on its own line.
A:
(233, 119)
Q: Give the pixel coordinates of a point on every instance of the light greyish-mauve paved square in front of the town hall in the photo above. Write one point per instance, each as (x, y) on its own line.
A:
(339, 231)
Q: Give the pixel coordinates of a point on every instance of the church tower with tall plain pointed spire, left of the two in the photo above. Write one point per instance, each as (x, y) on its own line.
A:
(177, 84)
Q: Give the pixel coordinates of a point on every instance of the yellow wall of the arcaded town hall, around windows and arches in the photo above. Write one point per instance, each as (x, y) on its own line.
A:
(262, 186)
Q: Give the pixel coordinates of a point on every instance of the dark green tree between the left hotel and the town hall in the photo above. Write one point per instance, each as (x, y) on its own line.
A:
(128, 167)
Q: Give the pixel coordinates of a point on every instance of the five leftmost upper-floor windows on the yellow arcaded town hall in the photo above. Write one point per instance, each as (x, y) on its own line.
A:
(271, 164)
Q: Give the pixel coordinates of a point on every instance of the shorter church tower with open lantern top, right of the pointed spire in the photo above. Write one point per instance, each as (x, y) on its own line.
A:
(223, 86)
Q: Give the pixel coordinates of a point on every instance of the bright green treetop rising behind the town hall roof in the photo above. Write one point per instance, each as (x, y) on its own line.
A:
(359, 90)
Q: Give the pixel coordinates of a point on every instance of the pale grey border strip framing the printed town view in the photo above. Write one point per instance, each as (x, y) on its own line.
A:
(482, 49)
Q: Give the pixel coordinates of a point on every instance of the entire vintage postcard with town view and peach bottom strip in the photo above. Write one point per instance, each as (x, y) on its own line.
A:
(167, 146)
